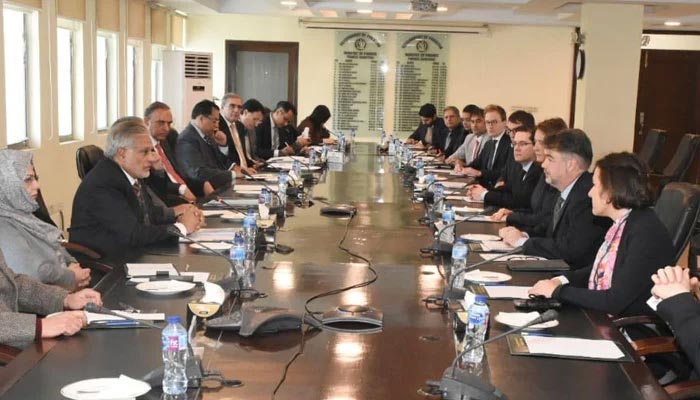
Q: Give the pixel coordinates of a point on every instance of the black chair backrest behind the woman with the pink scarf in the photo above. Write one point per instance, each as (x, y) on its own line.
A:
(677, 208)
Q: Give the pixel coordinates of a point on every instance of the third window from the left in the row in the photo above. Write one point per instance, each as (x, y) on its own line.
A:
(106, 79)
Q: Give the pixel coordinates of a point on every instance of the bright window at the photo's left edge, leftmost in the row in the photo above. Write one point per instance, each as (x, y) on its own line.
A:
(17, 29)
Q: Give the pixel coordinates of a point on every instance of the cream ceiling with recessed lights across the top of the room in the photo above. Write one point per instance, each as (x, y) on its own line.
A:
(513, 12)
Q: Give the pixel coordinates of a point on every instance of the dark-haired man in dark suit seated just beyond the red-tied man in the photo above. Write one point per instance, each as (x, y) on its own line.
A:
(202, 149)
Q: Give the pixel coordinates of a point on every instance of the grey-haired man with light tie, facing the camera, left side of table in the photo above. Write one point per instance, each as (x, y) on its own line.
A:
(236, 136)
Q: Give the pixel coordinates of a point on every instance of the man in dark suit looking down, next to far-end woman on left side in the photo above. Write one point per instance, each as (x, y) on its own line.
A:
(276, 135)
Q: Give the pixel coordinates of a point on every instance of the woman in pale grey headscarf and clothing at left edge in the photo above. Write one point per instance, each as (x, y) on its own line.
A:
(31, 246)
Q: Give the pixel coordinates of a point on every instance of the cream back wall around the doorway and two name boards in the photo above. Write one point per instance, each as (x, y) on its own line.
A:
(512, 66)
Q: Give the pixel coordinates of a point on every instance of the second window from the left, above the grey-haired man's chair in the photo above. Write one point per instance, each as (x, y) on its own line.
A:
(70, 79)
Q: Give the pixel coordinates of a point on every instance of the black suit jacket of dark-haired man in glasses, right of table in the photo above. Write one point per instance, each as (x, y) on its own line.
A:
(517, 190)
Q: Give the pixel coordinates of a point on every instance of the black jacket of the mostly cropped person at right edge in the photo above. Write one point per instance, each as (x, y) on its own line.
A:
(682, 312)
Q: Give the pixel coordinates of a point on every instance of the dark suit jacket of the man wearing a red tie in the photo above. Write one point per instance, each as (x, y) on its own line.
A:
(164, 187)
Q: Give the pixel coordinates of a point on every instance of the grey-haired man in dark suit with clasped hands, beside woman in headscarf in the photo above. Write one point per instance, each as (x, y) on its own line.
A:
(112, 210)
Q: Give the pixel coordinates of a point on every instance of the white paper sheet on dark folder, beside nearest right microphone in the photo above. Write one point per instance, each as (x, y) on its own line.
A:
(573, 347)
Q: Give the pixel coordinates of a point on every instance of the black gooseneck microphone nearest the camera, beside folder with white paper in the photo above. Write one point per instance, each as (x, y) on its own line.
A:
(469, 386)
